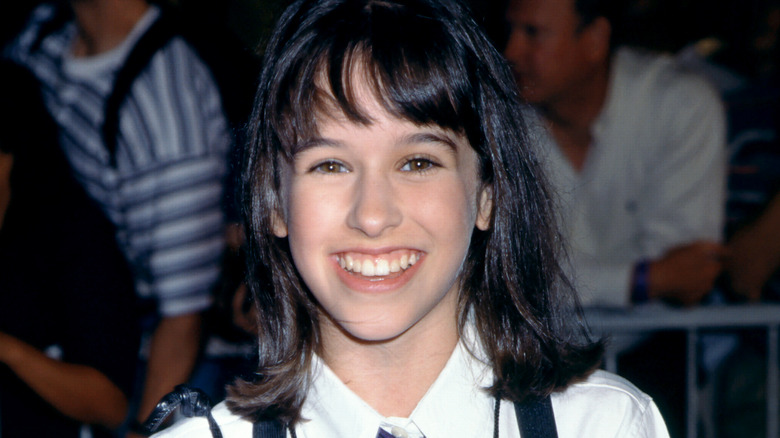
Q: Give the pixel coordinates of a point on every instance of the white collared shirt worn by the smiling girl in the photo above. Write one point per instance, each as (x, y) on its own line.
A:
(455, 405)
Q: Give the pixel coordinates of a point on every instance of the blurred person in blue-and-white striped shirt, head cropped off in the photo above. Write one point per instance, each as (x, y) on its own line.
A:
(162, 184)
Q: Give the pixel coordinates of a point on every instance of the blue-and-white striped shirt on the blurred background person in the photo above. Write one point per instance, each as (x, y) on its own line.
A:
(165, 193)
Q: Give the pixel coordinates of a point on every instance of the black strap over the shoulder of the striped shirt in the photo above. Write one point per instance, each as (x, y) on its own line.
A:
(158, 34)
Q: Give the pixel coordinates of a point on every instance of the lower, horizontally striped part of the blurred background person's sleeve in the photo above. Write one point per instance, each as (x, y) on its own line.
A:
(177, 233)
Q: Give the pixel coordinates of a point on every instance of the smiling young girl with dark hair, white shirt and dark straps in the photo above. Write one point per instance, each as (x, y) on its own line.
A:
(415, 290)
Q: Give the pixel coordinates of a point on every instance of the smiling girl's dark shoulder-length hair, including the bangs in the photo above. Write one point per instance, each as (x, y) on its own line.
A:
(427, 62)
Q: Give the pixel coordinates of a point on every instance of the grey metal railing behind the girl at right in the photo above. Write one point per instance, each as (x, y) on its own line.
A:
(649, 319)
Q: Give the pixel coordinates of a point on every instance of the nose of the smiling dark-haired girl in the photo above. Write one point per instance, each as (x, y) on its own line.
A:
(375, 206)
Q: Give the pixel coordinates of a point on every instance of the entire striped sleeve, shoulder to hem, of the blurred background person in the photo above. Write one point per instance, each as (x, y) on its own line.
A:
(176, 140)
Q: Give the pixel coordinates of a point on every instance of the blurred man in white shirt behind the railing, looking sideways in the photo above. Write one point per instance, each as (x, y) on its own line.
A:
(635, 148)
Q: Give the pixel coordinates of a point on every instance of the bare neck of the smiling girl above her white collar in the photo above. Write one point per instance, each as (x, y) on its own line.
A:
(391, 376)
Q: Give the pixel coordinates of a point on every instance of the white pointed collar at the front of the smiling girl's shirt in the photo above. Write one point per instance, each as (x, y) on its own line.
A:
(456, 404)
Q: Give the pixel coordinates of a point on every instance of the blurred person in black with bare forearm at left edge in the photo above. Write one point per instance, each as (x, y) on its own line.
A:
(68, 328)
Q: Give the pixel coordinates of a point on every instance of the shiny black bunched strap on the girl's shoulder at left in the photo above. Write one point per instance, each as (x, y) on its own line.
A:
(192, 403)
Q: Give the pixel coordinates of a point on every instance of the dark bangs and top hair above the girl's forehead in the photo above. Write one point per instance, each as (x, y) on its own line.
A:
(381, 52)
